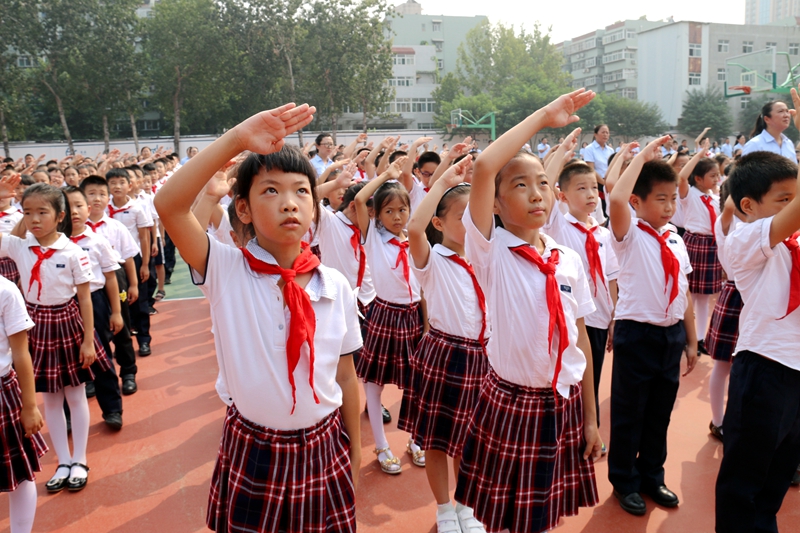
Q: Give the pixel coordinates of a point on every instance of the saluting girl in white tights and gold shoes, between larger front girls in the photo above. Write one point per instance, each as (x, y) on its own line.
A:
(395, 320)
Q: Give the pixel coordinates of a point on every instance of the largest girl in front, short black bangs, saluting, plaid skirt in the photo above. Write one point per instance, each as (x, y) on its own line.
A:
(287, 327)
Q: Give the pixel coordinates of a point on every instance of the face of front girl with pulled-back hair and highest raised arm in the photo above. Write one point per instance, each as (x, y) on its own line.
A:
(524, 197)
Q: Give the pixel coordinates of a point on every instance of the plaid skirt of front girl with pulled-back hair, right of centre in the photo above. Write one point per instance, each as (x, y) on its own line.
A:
(522, 467)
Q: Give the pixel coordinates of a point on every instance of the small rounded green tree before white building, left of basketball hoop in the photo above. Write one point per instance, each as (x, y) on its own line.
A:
(705, 108)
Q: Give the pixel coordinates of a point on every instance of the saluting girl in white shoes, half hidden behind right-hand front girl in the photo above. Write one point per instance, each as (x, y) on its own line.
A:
(451, 361)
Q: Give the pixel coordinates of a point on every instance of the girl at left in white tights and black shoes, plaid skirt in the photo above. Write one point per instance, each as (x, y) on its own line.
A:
(63, 344)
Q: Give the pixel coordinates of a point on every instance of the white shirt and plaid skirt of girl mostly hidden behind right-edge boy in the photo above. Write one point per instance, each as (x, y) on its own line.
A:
(723, 332)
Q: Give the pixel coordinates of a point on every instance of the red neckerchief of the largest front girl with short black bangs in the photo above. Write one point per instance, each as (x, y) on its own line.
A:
(303, 322)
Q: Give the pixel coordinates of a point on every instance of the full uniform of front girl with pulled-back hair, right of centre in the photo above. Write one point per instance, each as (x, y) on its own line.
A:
(522, 466)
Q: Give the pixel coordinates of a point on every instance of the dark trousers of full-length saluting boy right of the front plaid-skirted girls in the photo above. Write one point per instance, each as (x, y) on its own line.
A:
(644, 384)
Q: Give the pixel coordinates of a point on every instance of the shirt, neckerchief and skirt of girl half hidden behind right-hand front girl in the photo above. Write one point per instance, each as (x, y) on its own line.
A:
(451, 362)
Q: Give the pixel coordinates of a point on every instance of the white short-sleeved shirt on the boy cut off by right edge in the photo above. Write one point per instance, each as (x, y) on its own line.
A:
(762, 276)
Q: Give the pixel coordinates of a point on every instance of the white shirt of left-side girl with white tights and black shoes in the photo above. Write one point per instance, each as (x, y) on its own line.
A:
(60, 274)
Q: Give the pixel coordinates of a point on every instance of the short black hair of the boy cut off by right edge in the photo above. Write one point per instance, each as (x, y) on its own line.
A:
(756, 172)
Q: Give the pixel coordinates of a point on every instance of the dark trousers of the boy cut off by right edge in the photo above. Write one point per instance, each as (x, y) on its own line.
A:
(762, 444)
